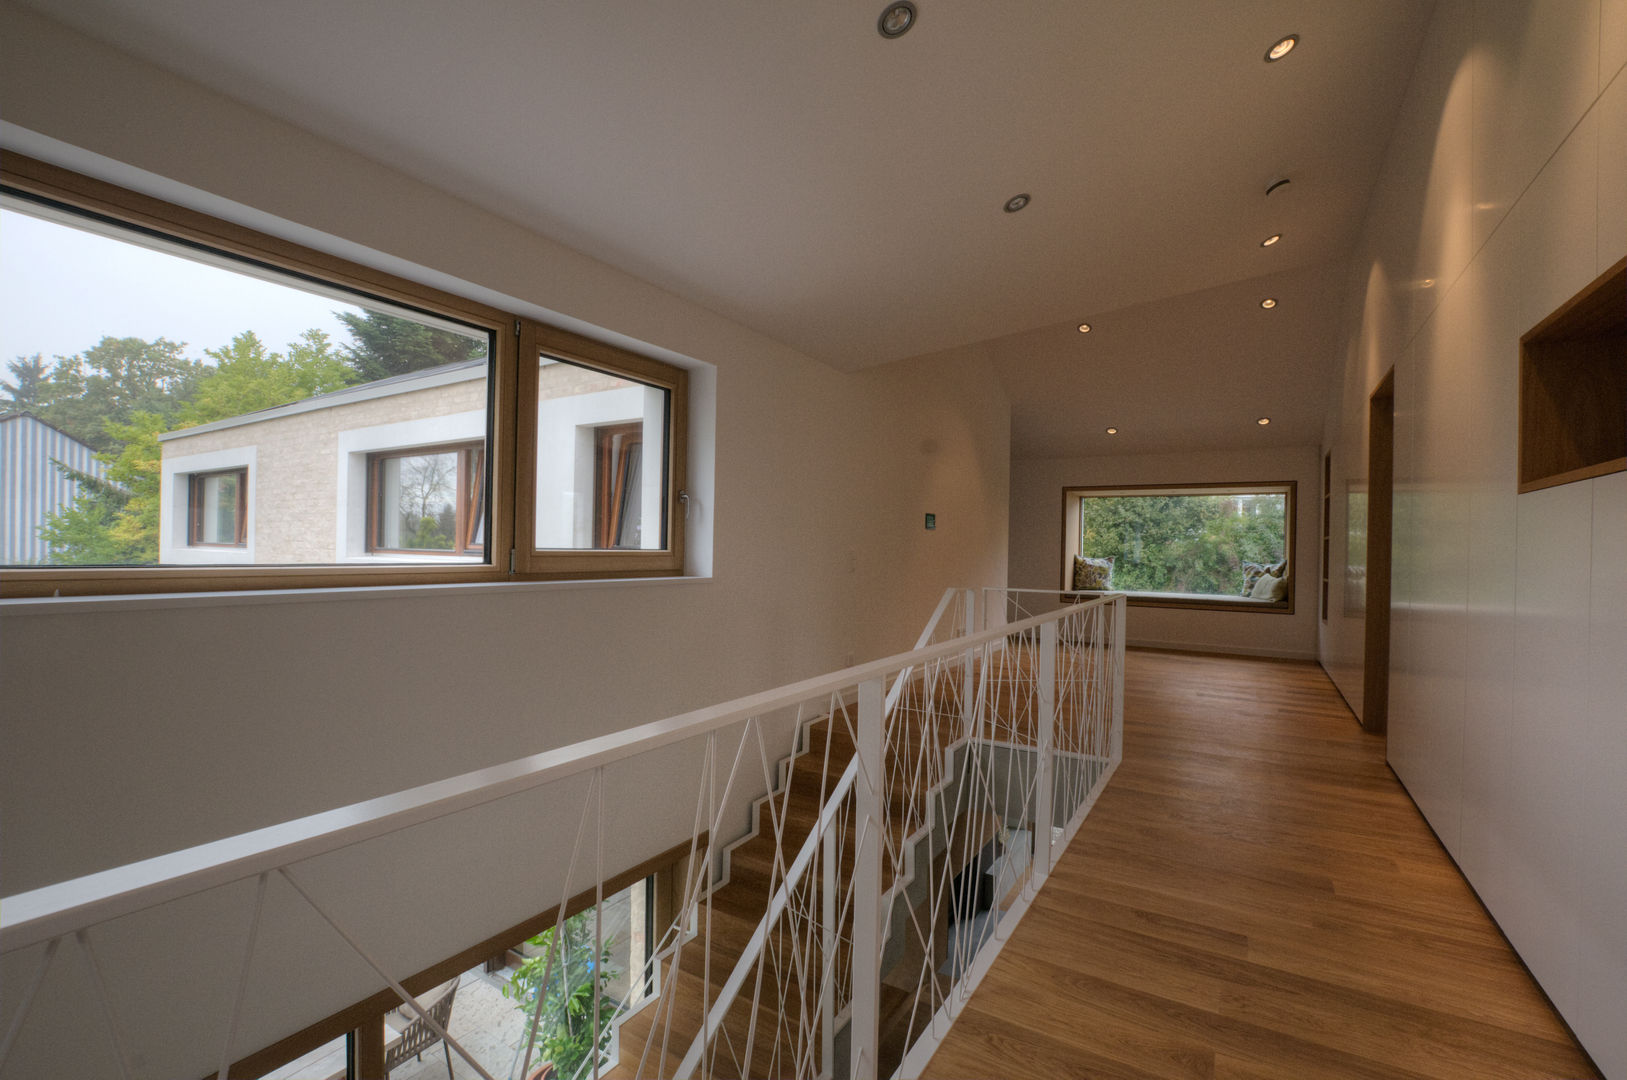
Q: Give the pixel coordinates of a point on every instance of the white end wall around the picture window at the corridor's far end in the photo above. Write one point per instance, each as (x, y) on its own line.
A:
(1037, 542)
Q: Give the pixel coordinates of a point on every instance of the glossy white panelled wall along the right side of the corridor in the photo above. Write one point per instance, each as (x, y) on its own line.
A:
(1506, 189)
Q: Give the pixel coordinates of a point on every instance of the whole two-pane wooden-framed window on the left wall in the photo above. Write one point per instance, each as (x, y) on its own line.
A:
(216, 409)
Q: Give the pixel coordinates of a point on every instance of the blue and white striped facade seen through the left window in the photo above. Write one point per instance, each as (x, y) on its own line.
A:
(32, 489)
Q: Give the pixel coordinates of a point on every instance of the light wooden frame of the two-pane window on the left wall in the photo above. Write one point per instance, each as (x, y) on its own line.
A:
(512, 443)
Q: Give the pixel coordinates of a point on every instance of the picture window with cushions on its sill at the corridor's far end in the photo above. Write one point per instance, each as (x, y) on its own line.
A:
(1202, 546)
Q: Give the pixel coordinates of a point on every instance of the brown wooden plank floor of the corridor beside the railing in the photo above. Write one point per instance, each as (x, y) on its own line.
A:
(1255, 897)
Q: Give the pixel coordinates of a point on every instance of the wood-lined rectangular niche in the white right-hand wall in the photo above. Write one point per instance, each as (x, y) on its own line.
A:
(1574, 388)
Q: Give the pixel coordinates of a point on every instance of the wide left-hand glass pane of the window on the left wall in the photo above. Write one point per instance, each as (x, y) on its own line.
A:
(134, 364)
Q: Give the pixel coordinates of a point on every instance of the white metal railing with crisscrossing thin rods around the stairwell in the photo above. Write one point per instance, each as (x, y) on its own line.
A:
(884, 783)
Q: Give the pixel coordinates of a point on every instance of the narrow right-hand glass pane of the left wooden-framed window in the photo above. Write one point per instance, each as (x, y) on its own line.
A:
(601, 459)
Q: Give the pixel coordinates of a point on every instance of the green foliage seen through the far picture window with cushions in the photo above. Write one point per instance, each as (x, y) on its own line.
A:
(1184, 544)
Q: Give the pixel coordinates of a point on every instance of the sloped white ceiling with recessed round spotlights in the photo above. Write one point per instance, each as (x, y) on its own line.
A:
(787, 167)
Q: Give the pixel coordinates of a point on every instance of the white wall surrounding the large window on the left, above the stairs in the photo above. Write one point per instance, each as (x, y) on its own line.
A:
(134, 728)
